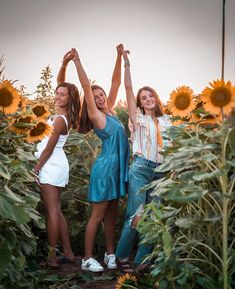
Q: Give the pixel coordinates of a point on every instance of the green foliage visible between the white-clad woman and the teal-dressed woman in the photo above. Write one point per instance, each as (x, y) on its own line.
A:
(81, 151)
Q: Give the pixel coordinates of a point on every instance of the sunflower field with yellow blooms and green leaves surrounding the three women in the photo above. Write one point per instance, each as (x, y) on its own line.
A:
(192, 231)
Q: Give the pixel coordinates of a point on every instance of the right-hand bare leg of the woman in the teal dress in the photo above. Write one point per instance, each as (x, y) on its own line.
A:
(110, 224)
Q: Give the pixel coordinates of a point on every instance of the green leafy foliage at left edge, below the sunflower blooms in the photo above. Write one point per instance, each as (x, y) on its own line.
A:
(18, 202)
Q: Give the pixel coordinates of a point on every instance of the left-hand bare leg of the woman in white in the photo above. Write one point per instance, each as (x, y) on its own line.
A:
(50, 198)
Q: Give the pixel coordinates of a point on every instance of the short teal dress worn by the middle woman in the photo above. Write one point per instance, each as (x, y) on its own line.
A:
(109, 173)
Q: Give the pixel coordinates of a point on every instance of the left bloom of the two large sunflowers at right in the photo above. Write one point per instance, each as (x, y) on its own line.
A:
(181, 101)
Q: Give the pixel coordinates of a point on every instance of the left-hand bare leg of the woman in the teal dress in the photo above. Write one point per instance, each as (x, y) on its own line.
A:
(97, 215)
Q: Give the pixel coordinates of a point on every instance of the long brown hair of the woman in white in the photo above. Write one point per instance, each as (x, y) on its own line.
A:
(74, 104)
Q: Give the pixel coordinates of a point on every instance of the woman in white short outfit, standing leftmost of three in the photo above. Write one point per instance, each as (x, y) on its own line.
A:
(52, 168)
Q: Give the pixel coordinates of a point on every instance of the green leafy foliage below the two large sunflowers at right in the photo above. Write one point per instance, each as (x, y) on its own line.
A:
(193, 232)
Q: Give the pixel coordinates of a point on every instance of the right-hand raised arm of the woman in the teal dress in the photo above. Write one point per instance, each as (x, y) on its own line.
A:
(116, 78)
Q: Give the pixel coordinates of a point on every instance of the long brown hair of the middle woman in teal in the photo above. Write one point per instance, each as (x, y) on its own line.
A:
(85, 124)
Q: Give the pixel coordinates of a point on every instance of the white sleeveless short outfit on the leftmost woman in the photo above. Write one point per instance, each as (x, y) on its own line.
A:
(56, 169)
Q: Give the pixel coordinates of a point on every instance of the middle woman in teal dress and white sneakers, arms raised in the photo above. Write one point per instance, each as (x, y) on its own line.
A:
(109, 174)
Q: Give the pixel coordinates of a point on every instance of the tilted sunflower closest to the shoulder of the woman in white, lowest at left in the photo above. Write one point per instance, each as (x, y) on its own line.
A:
(39, 131)
